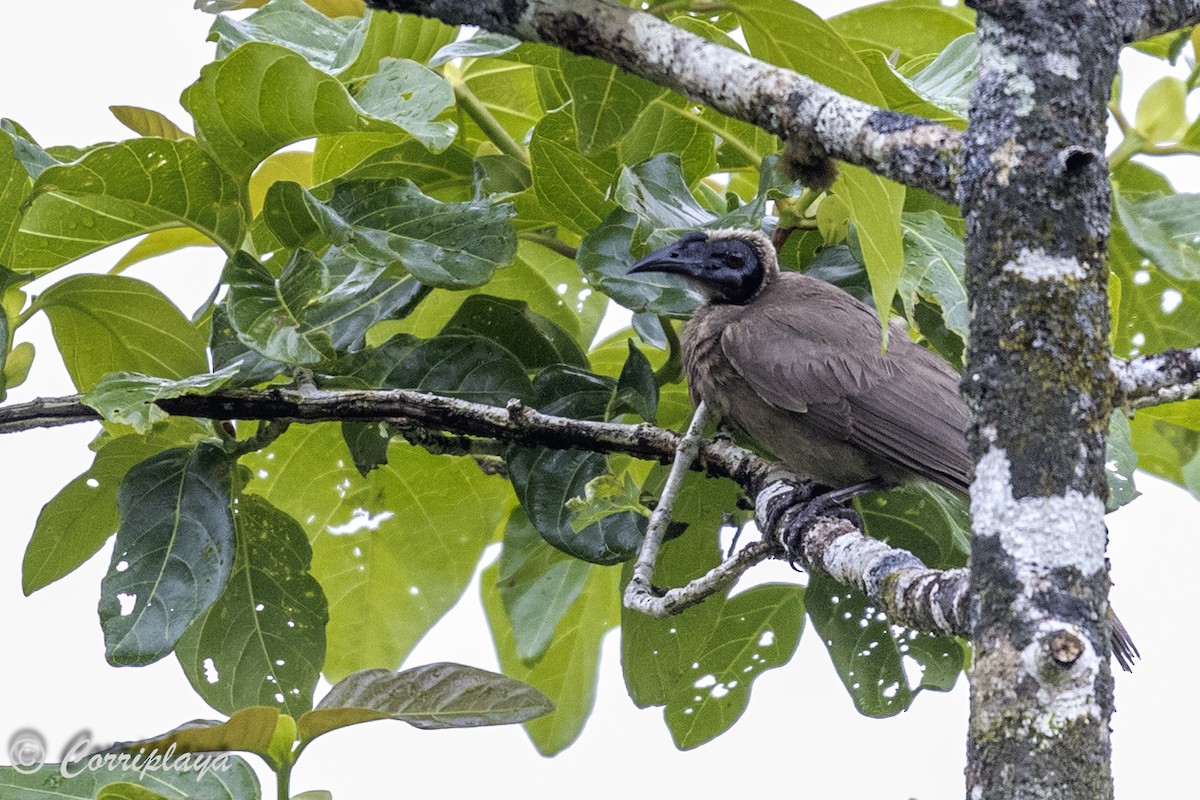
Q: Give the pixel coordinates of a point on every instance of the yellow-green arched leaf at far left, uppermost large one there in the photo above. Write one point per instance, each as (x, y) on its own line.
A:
(124, 190)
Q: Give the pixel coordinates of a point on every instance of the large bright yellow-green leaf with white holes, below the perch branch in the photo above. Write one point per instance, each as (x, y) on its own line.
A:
(393, 551)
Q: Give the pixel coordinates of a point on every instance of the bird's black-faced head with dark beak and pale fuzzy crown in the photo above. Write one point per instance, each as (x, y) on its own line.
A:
(729, 266)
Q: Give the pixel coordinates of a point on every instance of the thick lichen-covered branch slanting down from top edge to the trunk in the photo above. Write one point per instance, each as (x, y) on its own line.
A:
(813, 118)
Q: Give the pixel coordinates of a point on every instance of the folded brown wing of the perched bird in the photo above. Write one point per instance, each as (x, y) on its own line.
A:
(825, 363)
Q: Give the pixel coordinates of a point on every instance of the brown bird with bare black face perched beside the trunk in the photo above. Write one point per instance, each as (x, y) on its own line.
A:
(796, 365)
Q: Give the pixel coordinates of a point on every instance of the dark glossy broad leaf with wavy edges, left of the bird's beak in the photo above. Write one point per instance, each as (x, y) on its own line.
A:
(449, 245)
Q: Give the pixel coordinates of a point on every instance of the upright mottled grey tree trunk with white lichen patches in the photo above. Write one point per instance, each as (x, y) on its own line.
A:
(1035, 195)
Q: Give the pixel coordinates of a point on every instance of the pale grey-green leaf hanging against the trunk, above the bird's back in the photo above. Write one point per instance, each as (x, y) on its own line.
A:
(934, 268)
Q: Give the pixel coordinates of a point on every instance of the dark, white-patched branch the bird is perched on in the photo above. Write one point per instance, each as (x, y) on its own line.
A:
(893, 579)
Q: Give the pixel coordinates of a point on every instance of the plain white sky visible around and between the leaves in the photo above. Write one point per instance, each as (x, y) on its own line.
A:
(64, 63)
